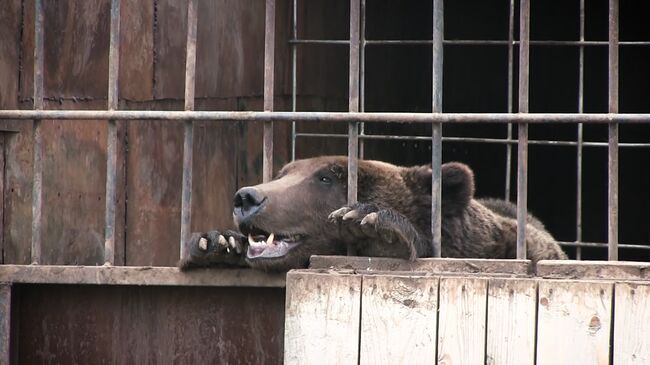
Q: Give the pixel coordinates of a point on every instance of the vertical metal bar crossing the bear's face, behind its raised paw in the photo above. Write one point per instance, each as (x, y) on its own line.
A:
(353, 127)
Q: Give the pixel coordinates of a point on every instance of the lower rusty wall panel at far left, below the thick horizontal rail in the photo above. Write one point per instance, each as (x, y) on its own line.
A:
(73, 194)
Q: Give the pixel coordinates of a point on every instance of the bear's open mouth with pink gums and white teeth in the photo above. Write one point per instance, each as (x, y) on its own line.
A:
(263, 245)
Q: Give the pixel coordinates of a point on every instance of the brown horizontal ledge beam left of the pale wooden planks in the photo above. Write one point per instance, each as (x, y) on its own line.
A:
(134, 275)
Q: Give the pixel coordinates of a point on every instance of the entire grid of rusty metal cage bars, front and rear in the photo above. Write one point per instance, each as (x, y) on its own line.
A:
(354, 118)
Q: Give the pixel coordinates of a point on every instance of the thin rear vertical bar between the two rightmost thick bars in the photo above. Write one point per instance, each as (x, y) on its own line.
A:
(581, 89)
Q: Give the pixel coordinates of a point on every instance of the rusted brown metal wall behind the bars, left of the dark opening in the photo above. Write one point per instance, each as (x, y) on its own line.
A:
(229, 77)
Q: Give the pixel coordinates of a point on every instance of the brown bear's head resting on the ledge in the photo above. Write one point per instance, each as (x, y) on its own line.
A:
(286, 219)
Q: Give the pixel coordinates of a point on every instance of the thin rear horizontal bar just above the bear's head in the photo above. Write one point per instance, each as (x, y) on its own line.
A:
(470, 139)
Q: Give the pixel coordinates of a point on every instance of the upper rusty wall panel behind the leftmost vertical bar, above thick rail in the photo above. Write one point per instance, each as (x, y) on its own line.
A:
(75, 66)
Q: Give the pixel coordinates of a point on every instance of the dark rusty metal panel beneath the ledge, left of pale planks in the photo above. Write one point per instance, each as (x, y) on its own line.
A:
(149, 325)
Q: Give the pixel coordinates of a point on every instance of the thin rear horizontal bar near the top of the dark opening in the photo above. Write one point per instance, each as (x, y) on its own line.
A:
(464, 42)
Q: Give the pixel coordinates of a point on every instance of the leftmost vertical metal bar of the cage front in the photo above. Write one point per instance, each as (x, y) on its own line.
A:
(37, 192)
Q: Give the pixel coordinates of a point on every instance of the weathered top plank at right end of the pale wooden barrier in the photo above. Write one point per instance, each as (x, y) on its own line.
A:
(608, 270)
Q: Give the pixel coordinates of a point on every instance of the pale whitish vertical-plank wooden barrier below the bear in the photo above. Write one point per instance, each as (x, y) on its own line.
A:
(350, 316)
